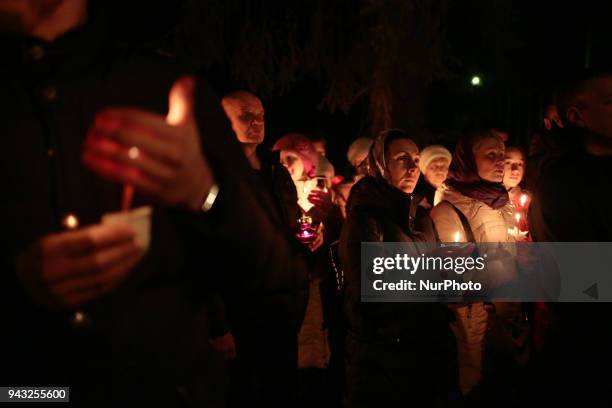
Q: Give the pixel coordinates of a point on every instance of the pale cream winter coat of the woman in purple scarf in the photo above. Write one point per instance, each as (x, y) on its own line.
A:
(488, 225)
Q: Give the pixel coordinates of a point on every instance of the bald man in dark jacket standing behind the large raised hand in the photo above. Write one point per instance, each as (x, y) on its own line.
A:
(266, 339)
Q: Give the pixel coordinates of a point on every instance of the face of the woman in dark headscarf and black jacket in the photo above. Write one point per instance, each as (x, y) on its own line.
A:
(402, 158)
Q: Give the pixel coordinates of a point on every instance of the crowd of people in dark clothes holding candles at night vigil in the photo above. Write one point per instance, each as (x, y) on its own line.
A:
(249, 291)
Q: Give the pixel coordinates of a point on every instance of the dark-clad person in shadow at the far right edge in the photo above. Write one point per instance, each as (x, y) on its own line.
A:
(571, 203)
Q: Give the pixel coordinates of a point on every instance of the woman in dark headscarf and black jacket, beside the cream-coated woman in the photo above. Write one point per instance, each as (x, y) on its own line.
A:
(397, 353)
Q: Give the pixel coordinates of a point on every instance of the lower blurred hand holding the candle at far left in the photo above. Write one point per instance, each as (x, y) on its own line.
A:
(69, 268)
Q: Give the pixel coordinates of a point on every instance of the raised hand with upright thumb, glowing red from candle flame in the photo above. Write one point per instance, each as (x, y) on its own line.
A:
(169, 164)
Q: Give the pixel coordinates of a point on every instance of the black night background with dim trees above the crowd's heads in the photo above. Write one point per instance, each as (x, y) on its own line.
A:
(321, 67)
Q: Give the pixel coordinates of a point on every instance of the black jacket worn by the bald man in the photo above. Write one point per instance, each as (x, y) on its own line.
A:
(282, 299)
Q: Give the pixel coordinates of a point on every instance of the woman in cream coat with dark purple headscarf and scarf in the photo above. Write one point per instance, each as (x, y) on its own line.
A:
(474, 206)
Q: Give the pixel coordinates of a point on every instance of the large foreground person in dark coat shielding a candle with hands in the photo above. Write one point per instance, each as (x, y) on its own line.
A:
(89, 308)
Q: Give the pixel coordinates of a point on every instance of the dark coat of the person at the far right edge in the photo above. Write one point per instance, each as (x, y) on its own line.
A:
(573, 205)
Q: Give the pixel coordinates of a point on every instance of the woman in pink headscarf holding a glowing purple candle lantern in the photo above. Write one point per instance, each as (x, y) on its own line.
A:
(319, 339)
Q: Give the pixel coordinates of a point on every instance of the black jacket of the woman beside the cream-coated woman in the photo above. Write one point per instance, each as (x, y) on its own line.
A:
(377, 212)
